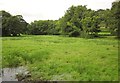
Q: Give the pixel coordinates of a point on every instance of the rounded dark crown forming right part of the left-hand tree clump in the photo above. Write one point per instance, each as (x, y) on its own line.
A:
(16, 25)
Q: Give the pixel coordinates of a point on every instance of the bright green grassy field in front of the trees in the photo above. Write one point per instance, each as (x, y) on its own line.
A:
(63, 58)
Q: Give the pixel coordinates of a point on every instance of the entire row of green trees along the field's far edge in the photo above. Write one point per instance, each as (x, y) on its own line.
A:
(78, 21)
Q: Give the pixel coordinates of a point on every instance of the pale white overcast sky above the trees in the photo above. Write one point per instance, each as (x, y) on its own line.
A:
(48, 9)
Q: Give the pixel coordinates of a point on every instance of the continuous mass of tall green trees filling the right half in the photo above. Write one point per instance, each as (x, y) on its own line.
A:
(88, 22)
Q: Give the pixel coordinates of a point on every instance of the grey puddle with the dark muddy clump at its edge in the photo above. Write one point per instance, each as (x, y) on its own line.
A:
(14, 74)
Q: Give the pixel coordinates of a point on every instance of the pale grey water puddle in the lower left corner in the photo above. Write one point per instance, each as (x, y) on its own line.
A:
(9, 74)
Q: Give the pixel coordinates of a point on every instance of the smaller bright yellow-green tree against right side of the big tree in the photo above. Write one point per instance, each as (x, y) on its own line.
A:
(90, 26)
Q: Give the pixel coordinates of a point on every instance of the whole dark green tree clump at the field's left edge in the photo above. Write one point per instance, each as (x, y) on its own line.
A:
(12, 25)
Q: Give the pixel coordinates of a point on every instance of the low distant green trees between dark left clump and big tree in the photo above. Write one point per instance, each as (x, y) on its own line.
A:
(43, 27)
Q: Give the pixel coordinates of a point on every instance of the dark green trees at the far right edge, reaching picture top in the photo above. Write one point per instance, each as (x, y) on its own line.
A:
(110, 18)
